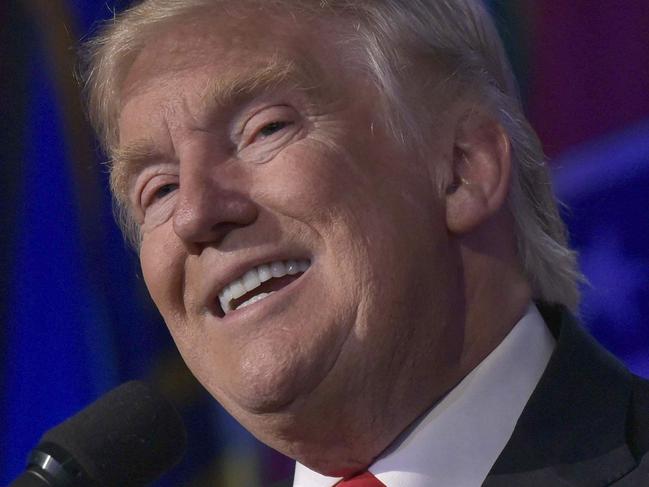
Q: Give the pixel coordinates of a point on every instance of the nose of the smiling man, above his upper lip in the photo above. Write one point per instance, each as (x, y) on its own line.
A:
(207, 211)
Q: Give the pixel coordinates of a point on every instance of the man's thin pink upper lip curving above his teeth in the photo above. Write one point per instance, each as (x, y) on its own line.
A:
(236, 268)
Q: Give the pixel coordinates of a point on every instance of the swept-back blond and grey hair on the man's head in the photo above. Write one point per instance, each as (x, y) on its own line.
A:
(457, 36)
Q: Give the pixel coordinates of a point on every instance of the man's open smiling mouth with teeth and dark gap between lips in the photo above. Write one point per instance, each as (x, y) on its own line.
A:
(259, 283)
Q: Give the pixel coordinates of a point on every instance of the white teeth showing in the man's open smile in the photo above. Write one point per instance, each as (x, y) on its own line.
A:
(253, 279)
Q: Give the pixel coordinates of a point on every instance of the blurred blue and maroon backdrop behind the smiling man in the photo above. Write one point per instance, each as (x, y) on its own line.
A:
(76, 319)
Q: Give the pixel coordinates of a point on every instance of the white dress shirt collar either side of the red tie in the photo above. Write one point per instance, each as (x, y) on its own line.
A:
(458, 441)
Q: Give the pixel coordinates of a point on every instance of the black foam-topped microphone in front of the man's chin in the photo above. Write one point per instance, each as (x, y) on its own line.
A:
(126, 438)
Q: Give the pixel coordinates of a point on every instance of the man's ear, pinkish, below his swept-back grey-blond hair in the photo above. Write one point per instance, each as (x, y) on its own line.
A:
(481, 172)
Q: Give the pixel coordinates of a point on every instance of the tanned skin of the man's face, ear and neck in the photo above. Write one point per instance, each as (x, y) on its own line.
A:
(408, 290)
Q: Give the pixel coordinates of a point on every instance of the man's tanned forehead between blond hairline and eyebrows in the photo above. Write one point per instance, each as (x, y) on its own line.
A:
(227, 45)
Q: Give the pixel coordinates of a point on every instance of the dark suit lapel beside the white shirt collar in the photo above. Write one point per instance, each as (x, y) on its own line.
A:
(572, 431)
